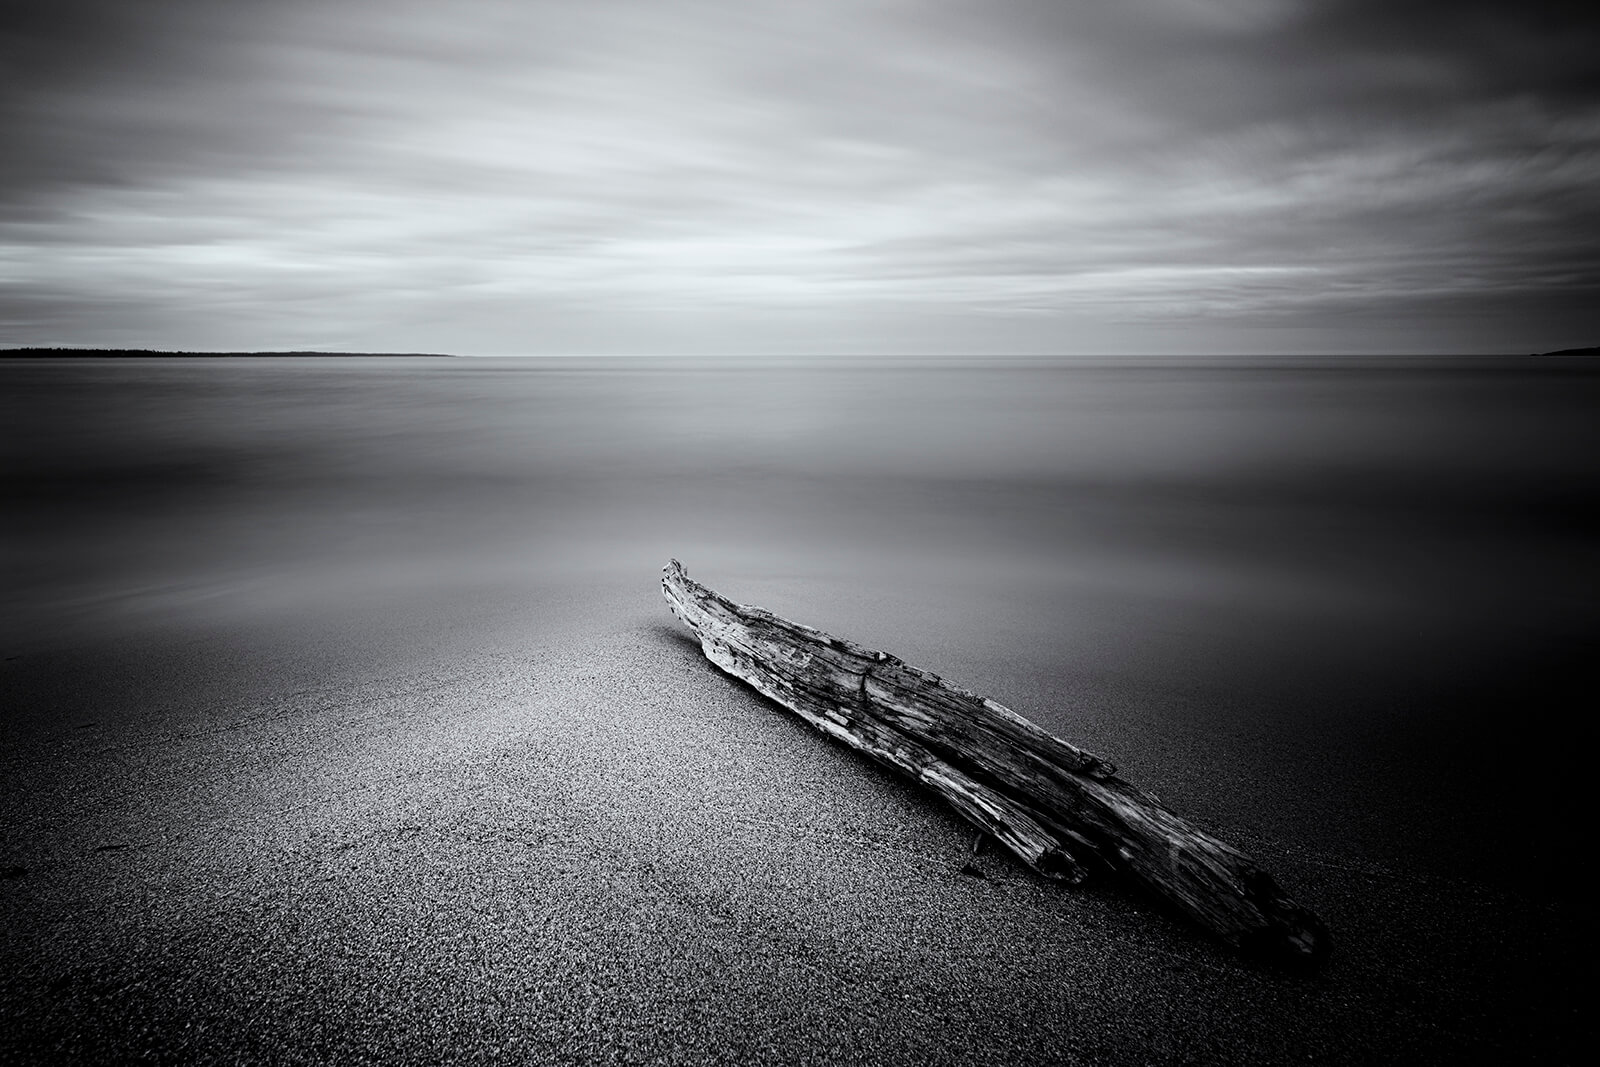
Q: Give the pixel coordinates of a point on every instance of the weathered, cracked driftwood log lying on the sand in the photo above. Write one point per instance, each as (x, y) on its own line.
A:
(1063, 812)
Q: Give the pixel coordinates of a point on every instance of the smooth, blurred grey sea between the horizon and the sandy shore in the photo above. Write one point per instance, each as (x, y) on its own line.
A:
(1346, 486)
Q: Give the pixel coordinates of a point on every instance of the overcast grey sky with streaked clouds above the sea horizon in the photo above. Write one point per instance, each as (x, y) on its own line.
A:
(804, 177)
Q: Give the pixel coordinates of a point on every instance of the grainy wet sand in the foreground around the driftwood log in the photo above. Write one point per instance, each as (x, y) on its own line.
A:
(548, 831)
